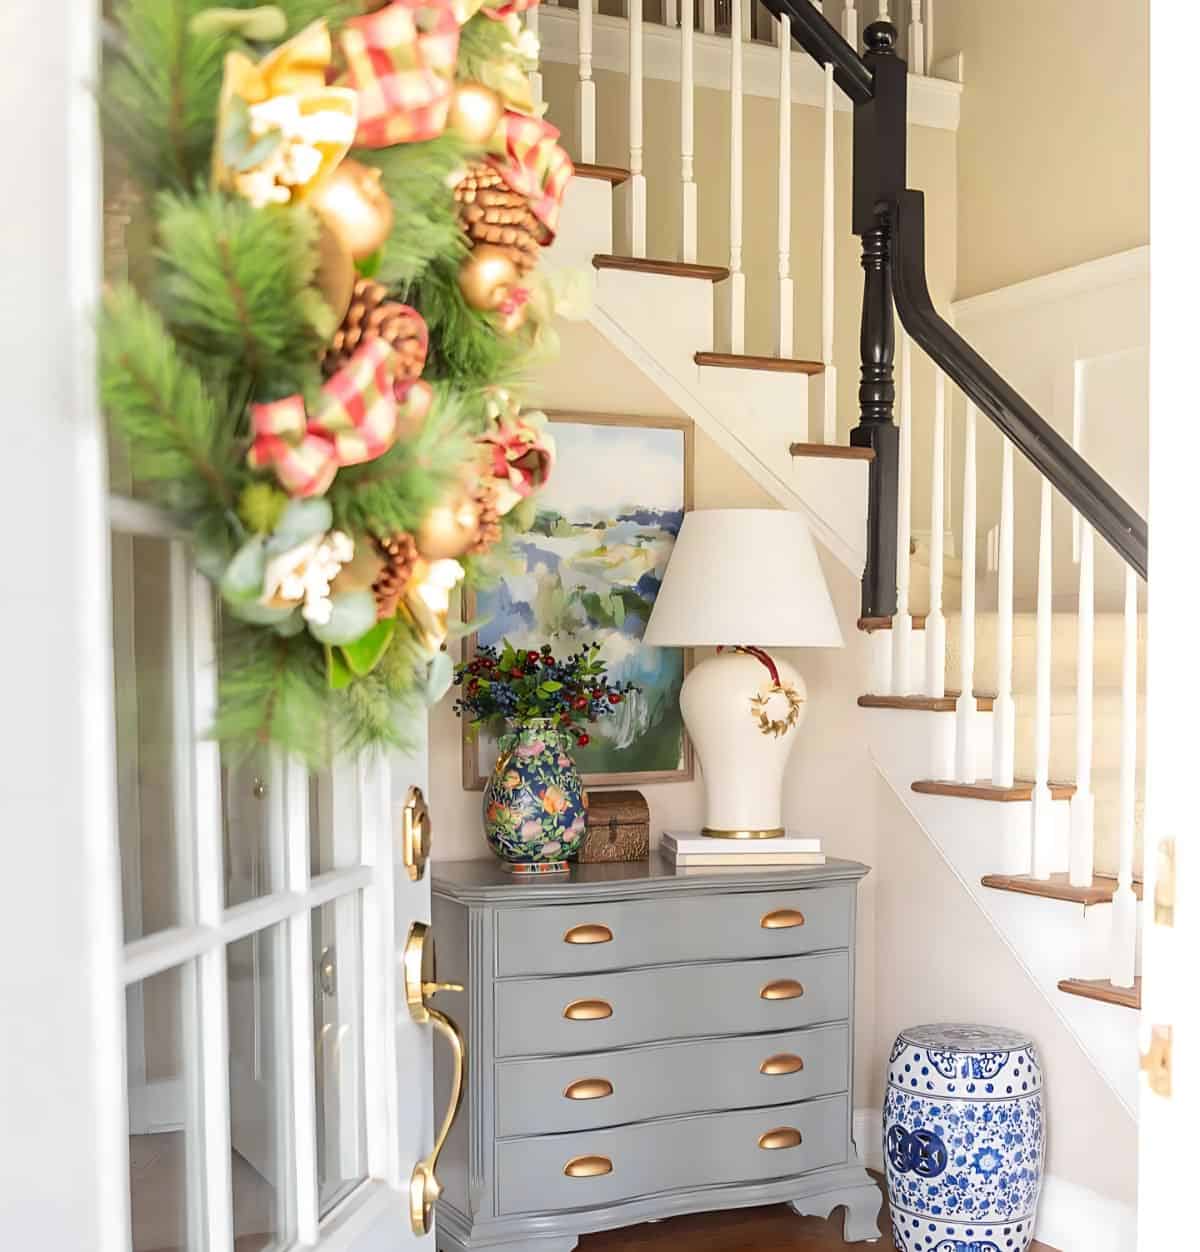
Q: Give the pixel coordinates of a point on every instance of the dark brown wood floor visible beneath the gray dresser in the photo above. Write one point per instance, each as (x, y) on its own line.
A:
(762, 1230)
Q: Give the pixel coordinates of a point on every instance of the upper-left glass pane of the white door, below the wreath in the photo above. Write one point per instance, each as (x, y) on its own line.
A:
(152, 678)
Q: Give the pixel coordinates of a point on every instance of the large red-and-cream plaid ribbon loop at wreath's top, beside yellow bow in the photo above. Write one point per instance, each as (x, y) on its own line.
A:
(401, 62)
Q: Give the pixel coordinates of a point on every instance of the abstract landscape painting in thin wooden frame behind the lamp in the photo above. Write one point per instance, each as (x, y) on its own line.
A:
(589, 570)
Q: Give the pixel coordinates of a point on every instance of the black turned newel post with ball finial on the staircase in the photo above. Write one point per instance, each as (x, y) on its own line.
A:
(880, 177)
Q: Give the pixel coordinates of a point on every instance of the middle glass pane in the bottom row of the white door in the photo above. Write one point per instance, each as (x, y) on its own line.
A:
(260, 1085)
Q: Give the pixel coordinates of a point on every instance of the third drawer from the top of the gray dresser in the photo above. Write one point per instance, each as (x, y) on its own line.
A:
(556, 1095)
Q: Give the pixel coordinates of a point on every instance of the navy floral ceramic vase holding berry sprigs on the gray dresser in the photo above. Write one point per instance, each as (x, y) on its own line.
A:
(535, 808)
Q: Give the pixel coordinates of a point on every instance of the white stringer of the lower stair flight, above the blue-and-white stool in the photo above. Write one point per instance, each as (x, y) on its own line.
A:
(1049, 938)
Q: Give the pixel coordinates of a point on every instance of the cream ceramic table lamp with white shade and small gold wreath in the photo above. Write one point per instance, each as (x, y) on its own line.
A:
(743, 580)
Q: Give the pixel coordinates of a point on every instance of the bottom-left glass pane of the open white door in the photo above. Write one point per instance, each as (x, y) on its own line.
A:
(165, 1149)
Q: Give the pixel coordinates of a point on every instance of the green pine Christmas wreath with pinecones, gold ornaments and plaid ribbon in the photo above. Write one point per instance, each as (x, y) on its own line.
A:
(315, 369)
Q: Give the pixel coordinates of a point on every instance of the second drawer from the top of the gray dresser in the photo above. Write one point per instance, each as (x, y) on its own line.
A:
(598, 1012)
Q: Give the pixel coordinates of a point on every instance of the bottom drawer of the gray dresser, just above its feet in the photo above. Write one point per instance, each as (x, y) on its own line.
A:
(606, 1167)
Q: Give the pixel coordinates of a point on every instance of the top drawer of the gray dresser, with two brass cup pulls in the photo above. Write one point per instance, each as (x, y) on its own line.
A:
(624, 935)
